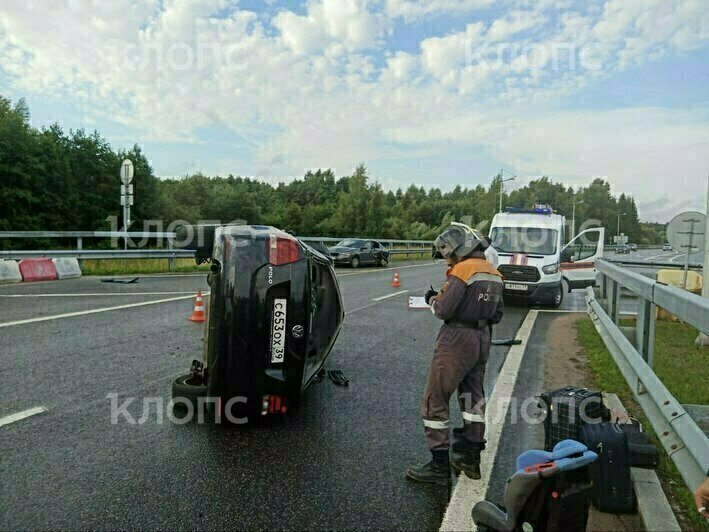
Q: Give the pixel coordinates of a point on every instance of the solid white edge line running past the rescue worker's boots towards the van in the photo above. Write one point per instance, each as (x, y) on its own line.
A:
(469, 492)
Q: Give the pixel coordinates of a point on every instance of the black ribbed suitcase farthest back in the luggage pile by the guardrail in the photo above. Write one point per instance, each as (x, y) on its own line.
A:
(568, 409)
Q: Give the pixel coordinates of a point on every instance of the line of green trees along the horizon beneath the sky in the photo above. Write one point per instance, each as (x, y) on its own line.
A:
(52, 179)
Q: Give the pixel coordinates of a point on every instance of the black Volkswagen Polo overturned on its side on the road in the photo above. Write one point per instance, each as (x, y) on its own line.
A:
(273, 315)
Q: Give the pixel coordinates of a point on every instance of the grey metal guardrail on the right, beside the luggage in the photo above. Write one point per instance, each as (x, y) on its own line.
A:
(683, 440)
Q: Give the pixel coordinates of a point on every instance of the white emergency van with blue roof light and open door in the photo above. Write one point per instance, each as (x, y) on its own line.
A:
(533, 260)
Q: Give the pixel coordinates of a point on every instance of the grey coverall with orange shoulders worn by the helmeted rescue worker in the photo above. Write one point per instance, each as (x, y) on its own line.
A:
(470, 300)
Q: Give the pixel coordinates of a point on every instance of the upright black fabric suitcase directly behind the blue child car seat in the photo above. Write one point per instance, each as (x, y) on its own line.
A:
(612, 485)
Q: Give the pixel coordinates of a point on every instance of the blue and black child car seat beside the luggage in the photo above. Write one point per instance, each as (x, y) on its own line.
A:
(549, 491)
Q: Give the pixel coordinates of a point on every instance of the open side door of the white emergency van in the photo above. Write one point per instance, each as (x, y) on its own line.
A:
(578, 258)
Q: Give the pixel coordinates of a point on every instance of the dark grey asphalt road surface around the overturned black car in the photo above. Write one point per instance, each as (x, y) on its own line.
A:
(338, 464)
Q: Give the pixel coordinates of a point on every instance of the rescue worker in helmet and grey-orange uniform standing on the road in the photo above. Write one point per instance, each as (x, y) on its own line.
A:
(470, 301)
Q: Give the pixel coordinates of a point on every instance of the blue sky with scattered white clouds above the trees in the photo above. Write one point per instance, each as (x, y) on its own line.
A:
(431, 92)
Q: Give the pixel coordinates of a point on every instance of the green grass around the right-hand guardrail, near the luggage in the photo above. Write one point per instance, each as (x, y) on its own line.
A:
(681, 366)
